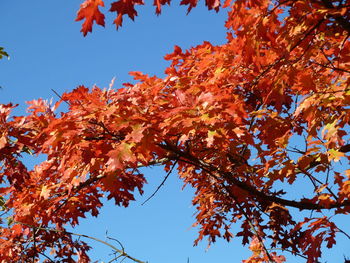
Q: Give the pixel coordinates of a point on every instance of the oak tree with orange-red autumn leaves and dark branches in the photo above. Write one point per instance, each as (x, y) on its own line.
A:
(242, 123)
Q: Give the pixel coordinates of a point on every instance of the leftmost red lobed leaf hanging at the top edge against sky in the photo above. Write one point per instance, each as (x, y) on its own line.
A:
(89, 10)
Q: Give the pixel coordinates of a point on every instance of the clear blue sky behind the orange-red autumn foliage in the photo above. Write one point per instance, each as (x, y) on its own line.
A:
(48, 52)
